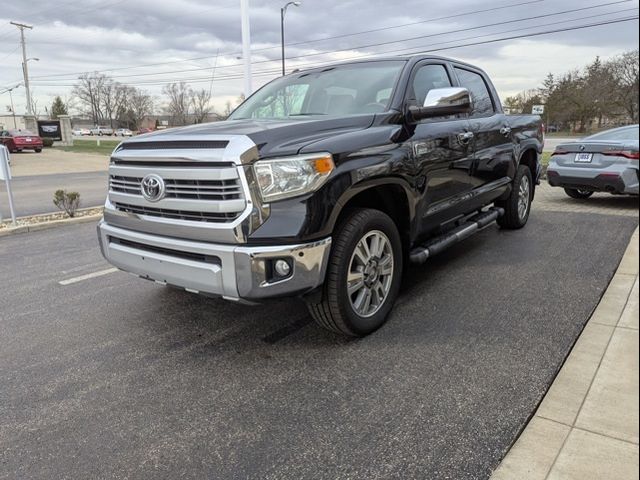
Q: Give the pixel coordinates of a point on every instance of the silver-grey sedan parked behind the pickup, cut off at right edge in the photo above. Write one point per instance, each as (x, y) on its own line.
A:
(604, 162)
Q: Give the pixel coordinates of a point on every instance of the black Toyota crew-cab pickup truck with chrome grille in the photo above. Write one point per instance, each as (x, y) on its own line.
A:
(324, 184)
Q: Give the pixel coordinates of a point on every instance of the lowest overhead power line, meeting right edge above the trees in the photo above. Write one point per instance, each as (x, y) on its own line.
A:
(422, 50)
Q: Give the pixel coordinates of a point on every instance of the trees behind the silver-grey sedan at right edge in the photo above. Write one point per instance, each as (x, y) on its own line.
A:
(603, 93)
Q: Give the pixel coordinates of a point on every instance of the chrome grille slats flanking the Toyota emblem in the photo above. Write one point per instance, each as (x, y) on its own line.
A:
(184, 189)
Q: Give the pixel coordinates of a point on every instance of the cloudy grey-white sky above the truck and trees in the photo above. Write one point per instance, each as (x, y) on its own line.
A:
(148, 43)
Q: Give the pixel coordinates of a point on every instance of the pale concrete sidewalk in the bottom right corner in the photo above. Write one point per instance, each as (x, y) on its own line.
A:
(587, 425)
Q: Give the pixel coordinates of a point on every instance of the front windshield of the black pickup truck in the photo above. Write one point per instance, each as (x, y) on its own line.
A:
(339, 90)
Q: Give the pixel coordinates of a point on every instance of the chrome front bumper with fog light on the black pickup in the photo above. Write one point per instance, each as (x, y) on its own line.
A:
(235, 272)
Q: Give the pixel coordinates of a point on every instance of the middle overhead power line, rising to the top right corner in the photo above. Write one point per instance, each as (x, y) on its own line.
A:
(535, 17)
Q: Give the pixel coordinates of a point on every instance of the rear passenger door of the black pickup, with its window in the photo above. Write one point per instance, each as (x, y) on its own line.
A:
(493, 162)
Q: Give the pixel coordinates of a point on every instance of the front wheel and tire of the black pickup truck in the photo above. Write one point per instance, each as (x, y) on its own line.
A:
(337, 309)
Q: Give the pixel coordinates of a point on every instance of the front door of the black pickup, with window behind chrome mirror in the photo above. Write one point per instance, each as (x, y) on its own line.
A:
(441, 148)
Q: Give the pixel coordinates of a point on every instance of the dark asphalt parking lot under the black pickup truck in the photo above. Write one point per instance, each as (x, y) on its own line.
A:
(115, 377)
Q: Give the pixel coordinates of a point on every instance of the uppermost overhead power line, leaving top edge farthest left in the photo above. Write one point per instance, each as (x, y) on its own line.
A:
(305, 42)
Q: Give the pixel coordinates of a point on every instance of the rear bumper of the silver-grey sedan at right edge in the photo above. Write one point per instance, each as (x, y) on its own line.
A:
(613, 179)
